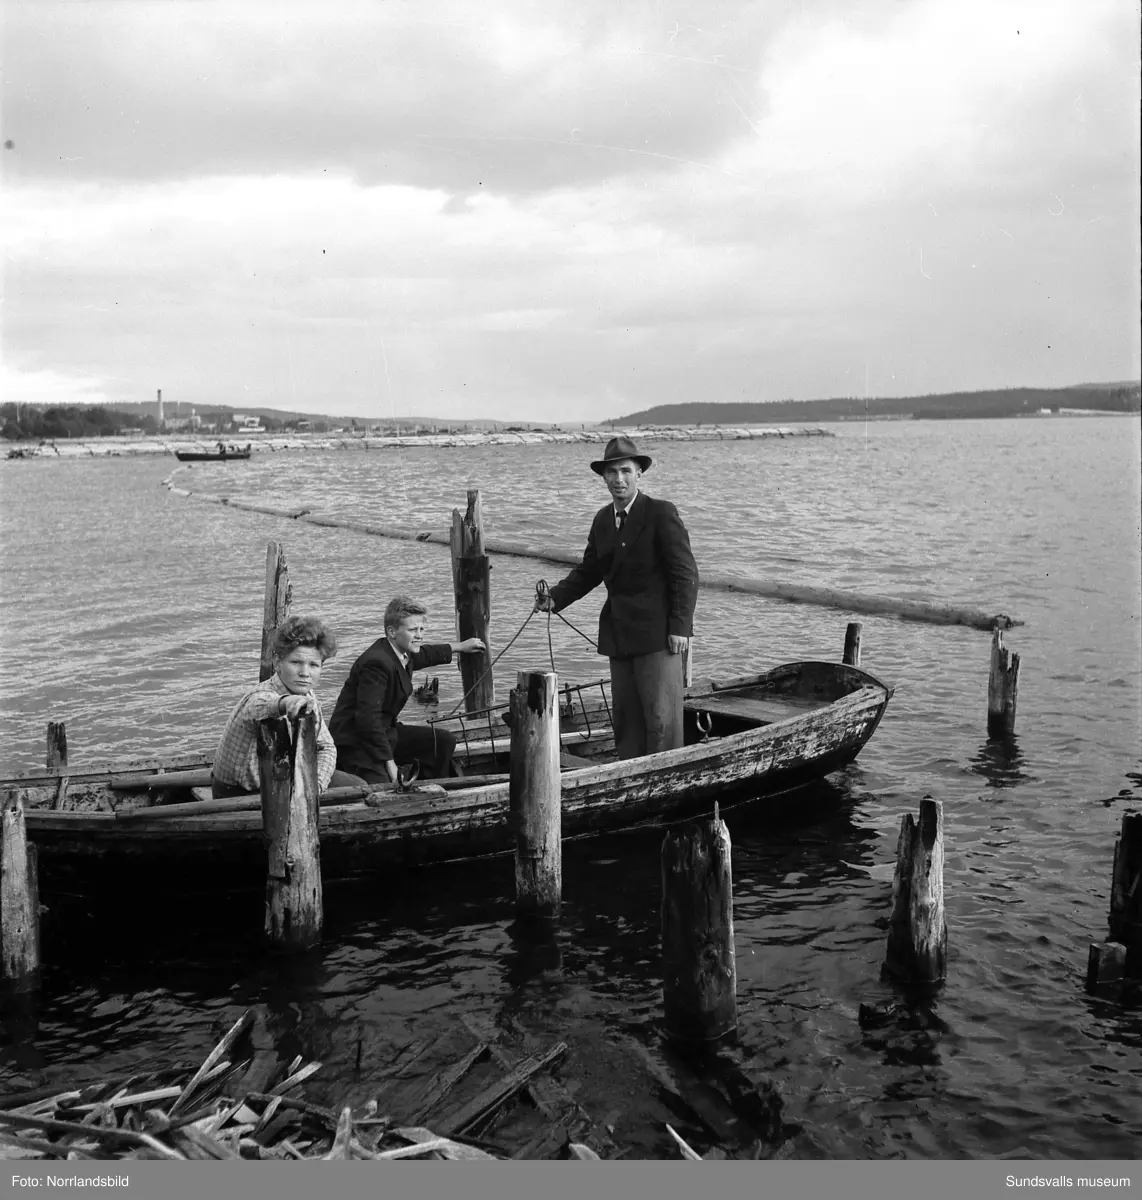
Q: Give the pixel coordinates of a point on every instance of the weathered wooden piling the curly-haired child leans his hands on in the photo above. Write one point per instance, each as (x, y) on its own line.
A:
(290, 817)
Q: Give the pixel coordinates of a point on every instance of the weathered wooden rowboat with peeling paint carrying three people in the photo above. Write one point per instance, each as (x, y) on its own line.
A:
(748, 741)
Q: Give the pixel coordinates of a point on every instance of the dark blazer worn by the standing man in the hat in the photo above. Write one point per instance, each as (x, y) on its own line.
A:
(651, 575)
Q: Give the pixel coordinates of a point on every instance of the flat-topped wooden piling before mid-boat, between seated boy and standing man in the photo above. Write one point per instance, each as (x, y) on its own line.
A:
(536, 793)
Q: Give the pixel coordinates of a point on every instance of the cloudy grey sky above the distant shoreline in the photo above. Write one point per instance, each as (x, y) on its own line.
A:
(566, 212)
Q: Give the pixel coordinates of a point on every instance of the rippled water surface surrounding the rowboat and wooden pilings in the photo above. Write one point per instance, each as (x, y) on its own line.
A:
(135, 616)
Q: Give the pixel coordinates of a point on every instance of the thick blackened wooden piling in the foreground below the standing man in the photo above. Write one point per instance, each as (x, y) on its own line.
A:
(700, 974)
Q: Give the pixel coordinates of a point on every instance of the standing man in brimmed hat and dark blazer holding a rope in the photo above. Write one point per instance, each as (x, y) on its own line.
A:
(640, 548)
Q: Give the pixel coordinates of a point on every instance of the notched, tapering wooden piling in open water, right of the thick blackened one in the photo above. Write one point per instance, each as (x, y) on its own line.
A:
(918, 931)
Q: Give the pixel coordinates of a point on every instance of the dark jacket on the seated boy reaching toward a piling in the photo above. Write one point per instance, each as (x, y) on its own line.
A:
(372, 698)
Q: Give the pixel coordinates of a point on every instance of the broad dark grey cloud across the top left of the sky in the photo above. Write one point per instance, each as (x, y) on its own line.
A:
(512, 98)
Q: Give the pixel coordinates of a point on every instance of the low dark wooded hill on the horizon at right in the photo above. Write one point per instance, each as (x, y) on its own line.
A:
(1012, 403)
